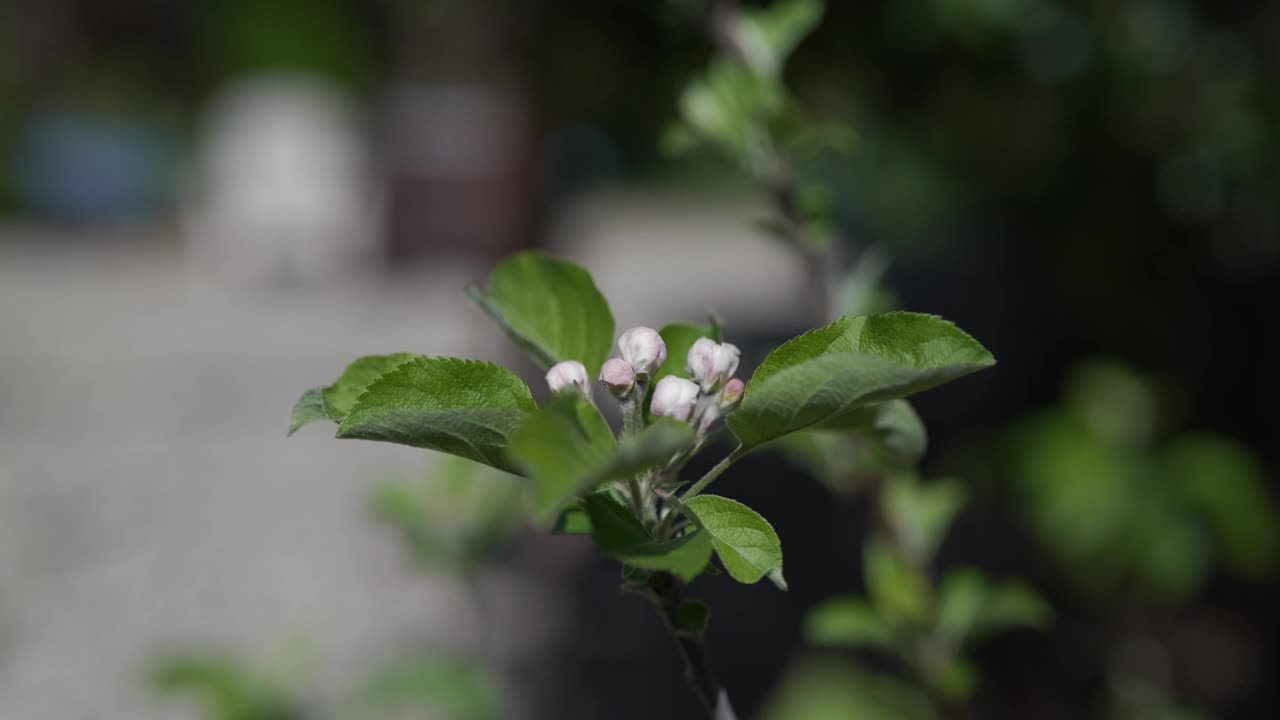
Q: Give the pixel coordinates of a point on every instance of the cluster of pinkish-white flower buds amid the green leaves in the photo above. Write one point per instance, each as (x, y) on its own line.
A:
(705, 399)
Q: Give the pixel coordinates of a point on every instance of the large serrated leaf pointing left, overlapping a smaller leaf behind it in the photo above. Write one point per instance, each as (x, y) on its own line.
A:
(464, 408)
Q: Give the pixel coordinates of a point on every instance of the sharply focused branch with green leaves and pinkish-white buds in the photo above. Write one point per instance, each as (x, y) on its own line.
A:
(625, 487)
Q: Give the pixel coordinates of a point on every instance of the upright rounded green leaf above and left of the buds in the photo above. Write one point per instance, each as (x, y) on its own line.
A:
(551, 309)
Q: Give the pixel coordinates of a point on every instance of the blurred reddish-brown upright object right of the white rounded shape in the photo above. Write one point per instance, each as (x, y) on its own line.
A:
(461, 139)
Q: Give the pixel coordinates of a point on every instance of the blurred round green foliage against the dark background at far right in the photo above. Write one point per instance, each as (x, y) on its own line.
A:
(1127, 508)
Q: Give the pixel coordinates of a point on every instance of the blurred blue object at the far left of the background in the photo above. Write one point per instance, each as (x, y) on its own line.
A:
(85, 167)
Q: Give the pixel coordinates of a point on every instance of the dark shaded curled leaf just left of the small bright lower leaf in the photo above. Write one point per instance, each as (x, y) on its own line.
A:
(618, 532)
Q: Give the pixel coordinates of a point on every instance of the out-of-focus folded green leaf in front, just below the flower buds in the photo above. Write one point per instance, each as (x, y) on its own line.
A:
(568, 450)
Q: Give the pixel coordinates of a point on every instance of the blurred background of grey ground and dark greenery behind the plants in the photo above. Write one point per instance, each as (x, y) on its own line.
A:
(208, 208)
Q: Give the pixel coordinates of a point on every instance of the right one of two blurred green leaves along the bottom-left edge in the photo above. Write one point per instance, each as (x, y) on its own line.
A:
(456, 689)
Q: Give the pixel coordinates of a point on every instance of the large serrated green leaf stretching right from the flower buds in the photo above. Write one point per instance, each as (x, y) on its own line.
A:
(829, 376)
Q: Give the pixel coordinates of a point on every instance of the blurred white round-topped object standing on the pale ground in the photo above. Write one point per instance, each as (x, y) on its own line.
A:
(284, 188)
